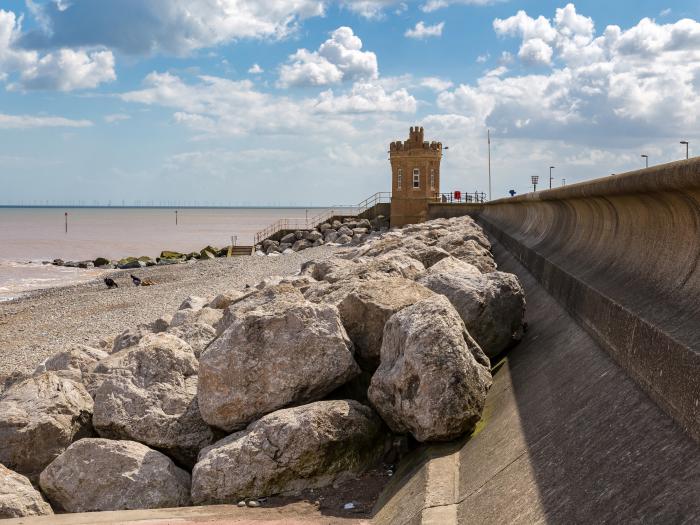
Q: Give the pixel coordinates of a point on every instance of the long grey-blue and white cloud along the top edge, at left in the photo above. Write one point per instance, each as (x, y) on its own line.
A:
(169, 26)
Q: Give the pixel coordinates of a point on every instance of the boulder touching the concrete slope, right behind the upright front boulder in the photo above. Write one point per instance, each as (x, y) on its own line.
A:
(492, 305)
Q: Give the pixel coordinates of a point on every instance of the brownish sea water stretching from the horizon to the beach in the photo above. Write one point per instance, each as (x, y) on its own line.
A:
(29, 237)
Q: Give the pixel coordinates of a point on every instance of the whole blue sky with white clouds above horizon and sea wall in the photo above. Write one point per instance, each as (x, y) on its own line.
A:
(294, 102)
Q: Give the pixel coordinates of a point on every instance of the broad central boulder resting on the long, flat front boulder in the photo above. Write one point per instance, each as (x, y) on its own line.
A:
(285, 350)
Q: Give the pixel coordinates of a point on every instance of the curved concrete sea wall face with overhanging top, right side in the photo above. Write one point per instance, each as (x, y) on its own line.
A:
(622, 255)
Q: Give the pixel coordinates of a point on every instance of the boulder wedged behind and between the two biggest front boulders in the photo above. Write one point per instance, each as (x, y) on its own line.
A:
(368, 306)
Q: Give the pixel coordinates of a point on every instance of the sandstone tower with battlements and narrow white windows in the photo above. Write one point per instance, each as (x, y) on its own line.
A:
(415, 177)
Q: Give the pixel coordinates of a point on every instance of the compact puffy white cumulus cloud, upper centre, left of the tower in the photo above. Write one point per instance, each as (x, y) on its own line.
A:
(338, 59)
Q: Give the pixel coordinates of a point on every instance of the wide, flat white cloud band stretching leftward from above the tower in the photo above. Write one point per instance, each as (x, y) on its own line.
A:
(216, 105)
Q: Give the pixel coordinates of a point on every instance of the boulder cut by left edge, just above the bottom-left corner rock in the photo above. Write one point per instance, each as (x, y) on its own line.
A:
(39, 418)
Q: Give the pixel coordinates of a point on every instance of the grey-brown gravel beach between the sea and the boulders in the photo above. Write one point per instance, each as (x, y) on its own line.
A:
(43, 322)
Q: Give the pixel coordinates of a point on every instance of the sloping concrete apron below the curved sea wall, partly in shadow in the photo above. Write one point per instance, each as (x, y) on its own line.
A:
(567, 437)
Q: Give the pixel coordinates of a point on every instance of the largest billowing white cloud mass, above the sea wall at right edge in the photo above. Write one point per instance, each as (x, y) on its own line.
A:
(600, 88)
